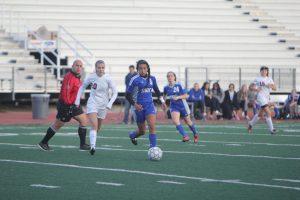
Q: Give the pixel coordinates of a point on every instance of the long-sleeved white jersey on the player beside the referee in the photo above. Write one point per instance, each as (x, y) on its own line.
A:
(99, 95)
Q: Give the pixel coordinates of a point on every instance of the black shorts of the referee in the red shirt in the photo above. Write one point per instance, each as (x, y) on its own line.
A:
(66, 112)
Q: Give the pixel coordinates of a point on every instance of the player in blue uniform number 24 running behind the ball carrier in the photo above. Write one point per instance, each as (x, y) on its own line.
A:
(179, 107)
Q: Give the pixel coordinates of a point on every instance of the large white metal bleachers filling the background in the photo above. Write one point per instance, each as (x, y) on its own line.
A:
(218, 35)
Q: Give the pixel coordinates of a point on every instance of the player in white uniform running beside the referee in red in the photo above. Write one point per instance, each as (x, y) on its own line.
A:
(98, 102)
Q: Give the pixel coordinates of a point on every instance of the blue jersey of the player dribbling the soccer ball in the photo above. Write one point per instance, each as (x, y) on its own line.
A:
(144, 86)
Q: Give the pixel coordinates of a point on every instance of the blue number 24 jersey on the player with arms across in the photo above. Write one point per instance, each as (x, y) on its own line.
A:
(175, 90)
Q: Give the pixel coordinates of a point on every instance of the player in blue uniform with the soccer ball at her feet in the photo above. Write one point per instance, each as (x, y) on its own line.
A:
(145, 84)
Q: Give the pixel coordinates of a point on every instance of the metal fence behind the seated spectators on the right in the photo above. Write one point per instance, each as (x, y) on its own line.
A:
(284, 78)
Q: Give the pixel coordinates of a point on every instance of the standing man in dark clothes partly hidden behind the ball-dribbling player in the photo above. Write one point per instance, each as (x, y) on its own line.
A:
(127, 105)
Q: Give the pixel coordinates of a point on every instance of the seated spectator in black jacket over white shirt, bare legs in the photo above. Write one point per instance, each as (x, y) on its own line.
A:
(230, 103)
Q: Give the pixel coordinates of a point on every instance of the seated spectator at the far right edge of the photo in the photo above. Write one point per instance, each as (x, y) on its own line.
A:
(291, 106)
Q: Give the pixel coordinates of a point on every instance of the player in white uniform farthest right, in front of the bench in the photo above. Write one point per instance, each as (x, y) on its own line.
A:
(264, 85)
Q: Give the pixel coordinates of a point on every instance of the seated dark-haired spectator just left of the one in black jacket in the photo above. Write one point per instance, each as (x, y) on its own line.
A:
(217, 99)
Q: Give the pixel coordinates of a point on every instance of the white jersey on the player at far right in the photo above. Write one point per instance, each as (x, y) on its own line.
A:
(263, 96)
